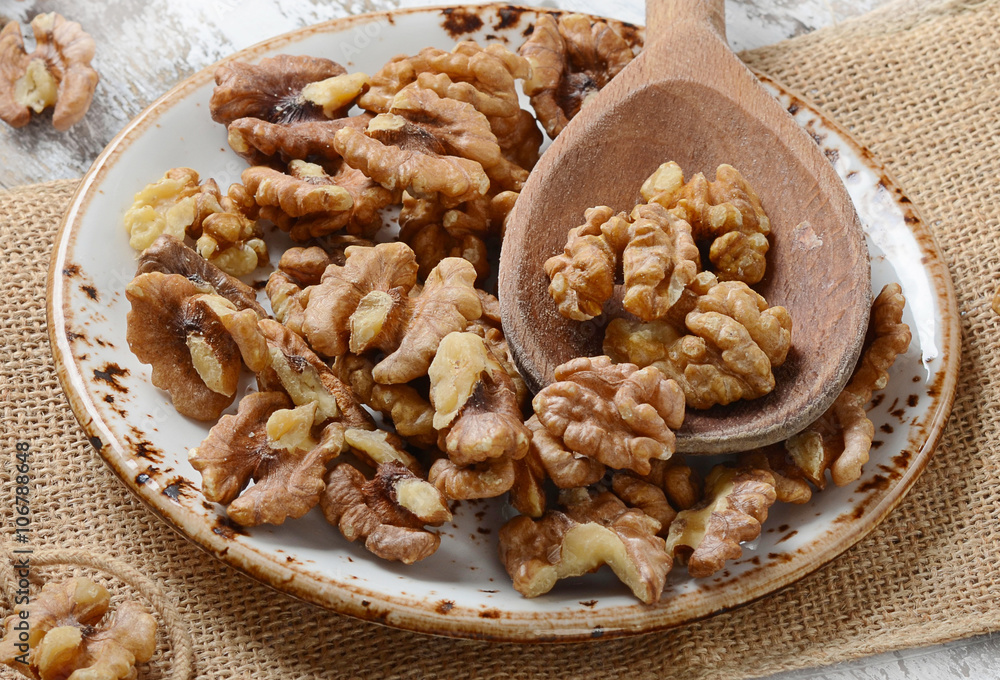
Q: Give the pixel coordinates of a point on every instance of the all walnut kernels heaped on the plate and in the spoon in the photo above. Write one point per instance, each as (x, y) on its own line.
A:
(407, 330)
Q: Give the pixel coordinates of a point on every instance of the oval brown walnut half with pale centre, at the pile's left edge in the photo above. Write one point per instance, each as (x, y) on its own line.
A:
(192, 355)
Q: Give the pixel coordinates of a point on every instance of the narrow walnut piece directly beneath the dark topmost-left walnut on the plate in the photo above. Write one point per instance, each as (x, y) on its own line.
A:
(262, 143)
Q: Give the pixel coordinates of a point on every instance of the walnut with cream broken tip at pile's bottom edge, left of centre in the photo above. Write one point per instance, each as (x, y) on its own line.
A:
(389, 511)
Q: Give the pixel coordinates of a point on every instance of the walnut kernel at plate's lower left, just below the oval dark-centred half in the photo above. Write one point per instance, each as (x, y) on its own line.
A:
(271, 443)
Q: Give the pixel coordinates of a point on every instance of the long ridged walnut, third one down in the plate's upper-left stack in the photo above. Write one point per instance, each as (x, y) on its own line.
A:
(308, 202)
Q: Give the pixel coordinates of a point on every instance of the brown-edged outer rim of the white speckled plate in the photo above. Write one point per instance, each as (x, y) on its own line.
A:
(407, 613)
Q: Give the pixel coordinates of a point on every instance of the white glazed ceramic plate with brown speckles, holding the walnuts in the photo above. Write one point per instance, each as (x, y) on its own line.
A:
(462, 590)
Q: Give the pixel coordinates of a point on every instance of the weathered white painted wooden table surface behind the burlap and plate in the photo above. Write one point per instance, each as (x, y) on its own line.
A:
(144, 47)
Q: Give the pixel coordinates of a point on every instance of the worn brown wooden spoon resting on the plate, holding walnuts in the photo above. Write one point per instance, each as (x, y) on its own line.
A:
(689, 99)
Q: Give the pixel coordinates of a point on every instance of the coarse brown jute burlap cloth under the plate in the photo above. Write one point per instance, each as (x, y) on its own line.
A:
(919, 89)
